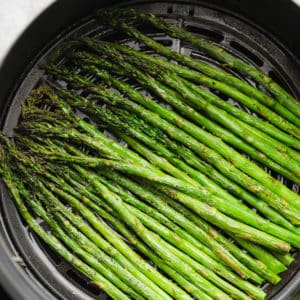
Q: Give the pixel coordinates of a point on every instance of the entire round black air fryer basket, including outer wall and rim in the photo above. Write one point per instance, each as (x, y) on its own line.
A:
(42, 274)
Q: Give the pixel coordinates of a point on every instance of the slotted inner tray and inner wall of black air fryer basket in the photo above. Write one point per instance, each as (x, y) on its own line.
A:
(45, 271)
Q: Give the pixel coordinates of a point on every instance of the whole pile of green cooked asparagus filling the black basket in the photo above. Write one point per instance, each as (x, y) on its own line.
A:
(176, 203)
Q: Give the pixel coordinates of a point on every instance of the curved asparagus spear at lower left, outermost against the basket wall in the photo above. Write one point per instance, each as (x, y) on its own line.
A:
(14, 186)
